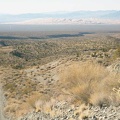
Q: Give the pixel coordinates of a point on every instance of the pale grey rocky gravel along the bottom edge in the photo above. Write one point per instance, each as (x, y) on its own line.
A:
(94, 113)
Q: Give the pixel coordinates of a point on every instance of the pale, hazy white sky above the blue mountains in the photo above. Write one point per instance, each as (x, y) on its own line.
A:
(39, 6)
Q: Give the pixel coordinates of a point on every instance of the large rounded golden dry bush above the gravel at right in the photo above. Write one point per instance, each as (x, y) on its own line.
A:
(89, 82)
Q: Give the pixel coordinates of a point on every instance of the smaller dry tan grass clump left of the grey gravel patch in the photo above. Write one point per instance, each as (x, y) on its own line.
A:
(35, 102)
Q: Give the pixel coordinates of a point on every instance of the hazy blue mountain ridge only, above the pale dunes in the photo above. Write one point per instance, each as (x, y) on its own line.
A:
(108, 14)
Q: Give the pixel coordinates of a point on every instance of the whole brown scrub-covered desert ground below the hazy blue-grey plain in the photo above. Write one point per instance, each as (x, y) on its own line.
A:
(60, 75)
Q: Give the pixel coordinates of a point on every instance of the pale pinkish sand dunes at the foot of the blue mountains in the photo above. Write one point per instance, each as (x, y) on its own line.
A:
(67, 21)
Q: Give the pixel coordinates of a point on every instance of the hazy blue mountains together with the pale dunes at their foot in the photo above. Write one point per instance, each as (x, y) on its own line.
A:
(77, 17)
